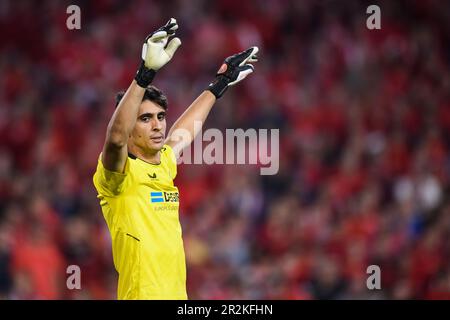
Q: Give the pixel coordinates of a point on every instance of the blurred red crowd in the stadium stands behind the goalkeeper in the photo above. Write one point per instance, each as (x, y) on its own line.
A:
(364, 119)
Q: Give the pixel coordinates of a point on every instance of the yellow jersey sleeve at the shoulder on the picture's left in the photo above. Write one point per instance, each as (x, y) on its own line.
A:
(109, 183)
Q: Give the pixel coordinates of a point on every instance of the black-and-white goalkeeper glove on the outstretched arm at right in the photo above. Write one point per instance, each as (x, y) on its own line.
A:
(234, 69)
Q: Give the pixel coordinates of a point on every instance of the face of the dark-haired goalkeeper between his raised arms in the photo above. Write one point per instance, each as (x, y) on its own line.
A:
(150, 129)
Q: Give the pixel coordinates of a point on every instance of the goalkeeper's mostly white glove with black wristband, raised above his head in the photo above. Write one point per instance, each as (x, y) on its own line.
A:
(157, 51)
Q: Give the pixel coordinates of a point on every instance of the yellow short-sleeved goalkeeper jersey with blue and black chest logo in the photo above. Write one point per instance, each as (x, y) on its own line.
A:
(140, 207)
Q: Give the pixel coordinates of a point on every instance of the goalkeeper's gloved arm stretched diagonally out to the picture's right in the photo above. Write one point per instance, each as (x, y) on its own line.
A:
(234, 69)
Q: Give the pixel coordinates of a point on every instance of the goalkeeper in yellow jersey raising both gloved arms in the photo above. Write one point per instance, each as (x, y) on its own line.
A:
(137, 166)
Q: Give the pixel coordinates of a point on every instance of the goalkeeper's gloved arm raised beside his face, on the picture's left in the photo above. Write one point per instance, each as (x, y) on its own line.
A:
(156, 52)
